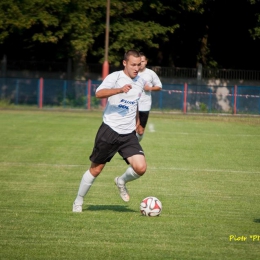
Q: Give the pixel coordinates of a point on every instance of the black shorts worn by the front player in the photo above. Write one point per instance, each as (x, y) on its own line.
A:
(108, 143)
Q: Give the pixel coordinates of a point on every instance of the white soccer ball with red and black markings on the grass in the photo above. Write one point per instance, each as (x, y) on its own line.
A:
(151, 206)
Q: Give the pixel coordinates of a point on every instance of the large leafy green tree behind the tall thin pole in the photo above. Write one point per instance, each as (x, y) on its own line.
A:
(77, 26)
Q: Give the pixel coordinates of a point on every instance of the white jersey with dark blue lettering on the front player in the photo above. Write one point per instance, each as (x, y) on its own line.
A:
(121, 109)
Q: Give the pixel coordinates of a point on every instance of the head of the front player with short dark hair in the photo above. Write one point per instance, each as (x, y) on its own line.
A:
(132, 63)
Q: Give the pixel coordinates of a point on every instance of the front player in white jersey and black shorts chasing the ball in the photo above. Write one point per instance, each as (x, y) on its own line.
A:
(117, 131)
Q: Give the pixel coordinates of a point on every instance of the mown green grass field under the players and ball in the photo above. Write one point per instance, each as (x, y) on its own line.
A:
(205, 170)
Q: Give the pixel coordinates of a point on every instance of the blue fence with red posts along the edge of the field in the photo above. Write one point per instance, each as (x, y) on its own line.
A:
(173, 97)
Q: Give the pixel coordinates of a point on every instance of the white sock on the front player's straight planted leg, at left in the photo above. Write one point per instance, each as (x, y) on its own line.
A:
(85, 184)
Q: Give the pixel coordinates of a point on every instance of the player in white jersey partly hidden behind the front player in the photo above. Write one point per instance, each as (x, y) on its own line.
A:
(145, 102)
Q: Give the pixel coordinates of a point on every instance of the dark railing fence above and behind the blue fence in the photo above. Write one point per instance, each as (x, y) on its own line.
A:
(65, 70)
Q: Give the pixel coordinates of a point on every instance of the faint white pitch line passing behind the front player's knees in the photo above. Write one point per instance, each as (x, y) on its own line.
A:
(124, 166)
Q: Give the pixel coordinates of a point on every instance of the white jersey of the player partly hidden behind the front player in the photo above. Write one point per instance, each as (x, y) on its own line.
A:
(145, 102)
